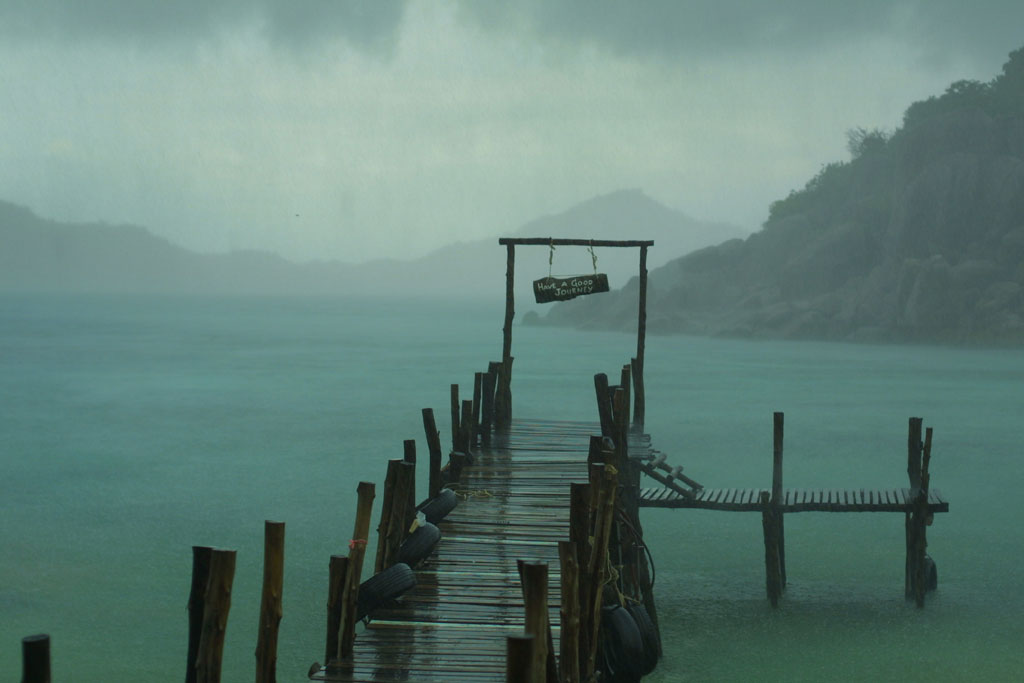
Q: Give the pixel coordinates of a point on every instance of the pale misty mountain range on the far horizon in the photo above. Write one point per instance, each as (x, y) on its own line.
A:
(42, 255)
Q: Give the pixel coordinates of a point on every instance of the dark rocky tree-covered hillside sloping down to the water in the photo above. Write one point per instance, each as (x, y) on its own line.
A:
(919, 238)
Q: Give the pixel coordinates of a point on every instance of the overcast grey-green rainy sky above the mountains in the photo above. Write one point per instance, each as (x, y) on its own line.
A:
(358, 131)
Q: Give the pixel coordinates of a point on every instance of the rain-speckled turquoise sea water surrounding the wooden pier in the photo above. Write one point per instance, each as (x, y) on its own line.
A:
(132, 430)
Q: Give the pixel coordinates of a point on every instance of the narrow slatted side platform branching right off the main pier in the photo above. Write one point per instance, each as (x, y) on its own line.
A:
(821, 500)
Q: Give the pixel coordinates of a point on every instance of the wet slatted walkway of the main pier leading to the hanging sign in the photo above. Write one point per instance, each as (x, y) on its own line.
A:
(453, 626)
